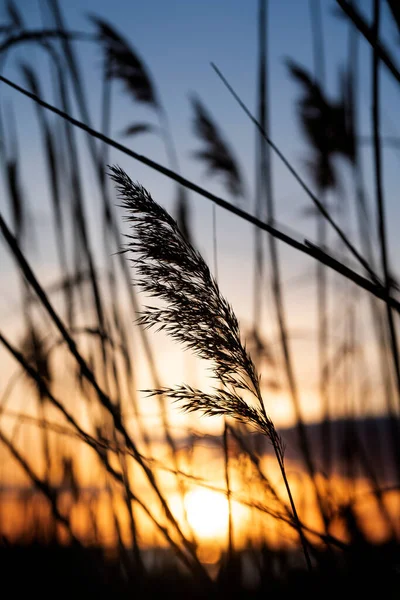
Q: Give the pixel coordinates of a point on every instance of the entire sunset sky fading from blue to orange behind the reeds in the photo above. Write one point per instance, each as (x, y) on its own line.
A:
(113, 433)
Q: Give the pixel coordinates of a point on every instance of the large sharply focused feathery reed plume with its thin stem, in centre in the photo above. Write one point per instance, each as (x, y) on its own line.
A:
(196, 315)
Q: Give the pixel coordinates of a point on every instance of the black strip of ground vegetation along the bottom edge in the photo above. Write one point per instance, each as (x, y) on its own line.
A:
(364, 571)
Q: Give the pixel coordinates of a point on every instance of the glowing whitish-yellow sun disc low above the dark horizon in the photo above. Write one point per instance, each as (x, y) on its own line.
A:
(207, 513)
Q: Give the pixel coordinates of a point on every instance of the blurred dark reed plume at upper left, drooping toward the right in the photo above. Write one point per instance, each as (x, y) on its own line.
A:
(124, 64)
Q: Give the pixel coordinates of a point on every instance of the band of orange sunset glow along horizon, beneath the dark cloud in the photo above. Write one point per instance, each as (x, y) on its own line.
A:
(206, 511)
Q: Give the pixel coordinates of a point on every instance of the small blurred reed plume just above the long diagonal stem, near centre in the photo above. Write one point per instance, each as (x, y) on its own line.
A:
(217, 155)
